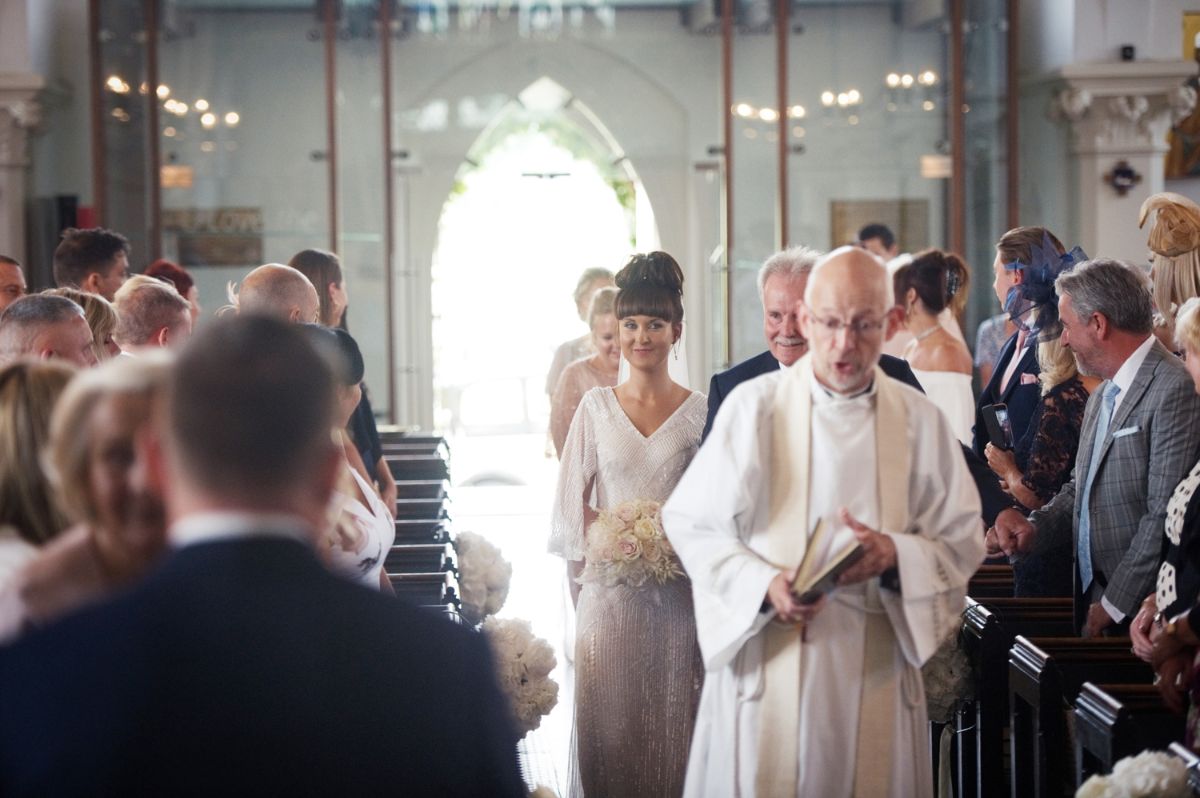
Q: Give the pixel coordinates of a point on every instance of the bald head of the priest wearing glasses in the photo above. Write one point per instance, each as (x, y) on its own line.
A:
(849, 313)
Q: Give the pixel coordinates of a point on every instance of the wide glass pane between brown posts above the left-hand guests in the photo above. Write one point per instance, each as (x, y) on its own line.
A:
(243, 130)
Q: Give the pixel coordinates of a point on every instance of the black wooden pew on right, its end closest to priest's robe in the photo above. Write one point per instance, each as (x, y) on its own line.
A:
(980, 724)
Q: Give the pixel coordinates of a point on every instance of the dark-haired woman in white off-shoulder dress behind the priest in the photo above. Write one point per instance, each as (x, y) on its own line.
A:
(933, 283)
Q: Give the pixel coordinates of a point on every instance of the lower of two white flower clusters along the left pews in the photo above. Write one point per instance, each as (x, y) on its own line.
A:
(524, 663)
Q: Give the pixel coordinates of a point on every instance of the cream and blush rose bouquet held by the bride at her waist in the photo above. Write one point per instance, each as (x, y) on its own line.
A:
(627, 547)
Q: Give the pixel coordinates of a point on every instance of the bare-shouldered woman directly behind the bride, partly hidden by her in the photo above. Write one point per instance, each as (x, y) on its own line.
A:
(584, 375)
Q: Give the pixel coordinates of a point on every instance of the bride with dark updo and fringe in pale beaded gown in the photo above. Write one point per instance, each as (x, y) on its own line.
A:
(638, 667)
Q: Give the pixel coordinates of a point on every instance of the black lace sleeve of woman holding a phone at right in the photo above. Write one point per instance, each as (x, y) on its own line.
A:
(1053, 453)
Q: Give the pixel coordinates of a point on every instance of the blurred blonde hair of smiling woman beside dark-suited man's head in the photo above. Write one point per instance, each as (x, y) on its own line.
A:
(68, 457)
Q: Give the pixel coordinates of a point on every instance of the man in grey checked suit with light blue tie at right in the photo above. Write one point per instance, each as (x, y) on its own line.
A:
(1141, 437)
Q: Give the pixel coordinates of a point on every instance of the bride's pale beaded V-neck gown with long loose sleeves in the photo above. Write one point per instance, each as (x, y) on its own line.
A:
(638, 665)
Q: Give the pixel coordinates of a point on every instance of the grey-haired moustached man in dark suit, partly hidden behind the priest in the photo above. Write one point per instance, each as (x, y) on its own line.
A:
(782, 283)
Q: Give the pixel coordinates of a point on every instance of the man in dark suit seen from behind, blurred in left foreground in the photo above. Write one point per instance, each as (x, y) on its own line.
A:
(242, 667)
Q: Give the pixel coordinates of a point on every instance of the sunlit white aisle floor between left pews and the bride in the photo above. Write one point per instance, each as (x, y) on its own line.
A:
(517, 519)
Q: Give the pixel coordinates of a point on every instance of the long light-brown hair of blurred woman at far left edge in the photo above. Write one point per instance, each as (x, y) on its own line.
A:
(28, 394)
